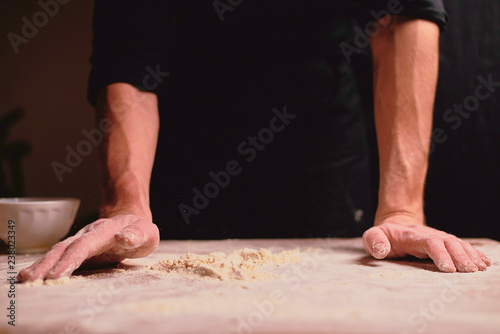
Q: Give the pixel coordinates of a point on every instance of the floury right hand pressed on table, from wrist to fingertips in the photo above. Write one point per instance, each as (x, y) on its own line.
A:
(402, 235)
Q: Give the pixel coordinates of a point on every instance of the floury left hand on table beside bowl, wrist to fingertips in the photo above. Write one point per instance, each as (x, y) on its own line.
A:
(105, 241)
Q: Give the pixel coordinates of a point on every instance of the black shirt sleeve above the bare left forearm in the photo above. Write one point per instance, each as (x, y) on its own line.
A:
(129, 42)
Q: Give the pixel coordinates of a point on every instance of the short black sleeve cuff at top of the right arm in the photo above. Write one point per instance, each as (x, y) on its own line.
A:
(366, 11)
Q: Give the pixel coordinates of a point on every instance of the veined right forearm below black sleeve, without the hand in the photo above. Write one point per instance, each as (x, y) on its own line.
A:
(405, 62)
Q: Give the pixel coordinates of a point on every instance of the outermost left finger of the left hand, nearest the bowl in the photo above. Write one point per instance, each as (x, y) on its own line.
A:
(40, 268)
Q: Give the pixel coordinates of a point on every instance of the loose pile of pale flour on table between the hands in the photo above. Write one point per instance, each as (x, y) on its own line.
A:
(241, 264)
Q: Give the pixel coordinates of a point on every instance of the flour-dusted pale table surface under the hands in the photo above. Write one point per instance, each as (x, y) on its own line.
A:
(335, 288)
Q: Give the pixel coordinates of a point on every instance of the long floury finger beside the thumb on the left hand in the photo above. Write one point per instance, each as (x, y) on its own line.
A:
(97, 240)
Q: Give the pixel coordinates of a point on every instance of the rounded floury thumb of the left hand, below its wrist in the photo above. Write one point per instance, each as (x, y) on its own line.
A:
(138, 239)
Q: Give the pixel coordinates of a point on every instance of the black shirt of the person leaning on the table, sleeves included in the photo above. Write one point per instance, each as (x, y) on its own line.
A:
(262, 89)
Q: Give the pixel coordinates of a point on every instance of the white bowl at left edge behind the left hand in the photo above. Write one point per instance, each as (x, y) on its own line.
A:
(39, 222)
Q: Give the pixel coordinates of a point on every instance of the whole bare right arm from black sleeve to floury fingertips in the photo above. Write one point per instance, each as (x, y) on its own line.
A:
(405, 65)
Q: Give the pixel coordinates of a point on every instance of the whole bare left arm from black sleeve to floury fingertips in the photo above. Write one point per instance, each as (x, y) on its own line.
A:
(126, 158)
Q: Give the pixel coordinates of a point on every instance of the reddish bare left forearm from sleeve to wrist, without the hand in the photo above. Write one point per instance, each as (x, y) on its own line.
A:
(127, 154)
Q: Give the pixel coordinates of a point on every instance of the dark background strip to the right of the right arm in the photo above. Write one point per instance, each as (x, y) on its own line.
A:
(463, 193)
